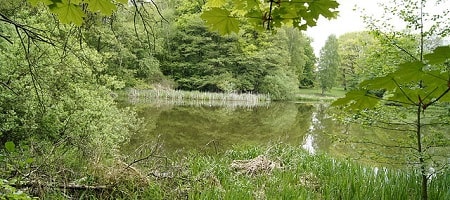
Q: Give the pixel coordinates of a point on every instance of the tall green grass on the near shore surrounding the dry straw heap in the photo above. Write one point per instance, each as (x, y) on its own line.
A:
(299, 176)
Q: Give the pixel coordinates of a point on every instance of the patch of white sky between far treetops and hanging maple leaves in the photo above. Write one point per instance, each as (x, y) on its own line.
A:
(349, 20)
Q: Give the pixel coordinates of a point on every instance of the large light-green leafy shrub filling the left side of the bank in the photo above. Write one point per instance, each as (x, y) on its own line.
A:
(55, 101)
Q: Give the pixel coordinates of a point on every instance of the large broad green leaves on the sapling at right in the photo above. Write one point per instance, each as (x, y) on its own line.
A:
(412, 83)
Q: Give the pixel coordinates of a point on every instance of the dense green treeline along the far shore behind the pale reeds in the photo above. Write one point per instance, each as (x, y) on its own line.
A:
(175, 49)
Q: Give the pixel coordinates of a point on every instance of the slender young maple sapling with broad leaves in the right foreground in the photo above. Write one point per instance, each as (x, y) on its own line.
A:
(416, 89)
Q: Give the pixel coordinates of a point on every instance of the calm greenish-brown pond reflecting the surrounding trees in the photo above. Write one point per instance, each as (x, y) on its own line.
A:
(213, 128)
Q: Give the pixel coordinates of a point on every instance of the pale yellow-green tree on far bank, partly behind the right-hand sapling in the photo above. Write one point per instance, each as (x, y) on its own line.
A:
(364, 55)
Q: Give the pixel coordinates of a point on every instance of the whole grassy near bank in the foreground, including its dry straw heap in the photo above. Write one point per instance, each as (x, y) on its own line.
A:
(275, 172)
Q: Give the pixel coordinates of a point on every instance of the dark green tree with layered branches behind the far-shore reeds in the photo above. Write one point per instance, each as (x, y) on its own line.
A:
(198, 59)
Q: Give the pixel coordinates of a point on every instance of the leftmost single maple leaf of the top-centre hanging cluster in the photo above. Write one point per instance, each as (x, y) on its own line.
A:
(219, 19)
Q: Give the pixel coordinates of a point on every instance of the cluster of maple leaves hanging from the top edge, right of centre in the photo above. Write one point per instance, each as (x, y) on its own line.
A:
(223, 15)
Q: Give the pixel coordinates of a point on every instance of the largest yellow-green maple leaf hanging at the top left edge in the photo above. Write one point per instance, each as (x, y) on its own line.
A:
(68, 12)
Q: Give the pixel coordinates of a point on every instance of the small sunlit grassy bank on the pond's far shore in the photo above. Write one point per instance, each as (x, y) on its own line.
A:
(315, 94)
